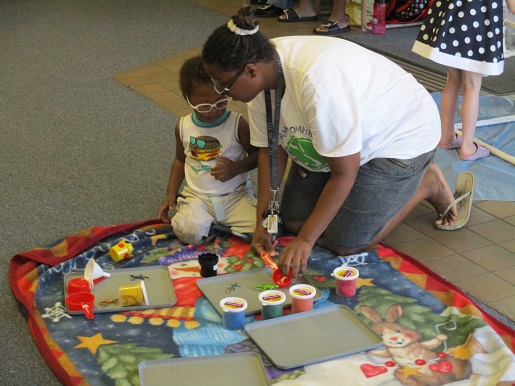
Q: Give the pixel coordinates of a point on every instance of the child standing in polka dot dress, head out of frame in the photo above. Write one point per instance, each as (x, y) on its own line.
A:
(467, 37)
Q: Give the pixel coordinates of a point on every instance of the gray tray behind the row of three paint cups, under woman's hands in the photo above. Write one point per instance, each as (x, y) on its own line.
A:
(241, 284)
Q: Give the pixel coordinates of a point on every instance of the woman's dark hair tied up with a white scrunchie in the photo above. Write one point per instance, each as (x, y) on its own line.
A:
(232, 50)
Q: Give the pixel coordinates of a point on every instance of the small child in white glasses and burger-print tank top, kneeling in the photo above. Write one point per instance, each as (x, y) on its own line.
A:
(214, 155)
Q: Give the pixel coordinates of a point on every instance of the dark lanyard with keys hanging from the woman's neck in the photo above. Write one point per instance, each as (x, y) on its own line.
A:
(272, 126)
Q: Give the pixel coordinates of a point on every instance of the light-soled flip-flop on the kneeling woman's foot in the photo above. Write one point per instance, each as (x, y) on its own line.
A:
(463, 195)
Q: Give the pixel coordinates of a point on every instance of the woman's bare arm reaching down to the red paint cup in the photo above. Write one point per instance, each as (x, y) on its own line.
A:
(343, 175)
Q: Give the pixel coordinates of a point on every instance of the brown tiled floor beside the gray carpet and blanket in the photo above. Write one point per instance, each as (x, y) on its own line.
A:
(480, 258)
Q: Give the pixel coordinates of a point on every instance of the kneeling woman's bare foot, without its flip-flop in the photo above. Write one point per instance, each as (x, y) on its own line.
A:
(440, 195)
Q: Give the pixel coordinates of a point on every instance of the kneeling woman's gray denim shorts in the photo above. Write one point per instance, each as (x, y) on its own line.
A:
(383, 187)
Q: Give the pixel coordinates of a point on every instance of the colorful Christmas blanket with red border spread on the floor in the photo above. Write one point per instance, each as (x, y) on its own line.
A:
(192, 327)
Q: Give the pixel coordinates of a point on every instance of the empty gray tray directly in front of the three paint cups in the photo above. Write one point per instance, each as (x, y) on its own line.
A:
(313, 336)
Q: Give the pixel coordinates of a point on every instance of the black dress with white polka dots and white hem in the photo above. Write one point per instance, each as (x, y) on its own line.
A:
(464, 34)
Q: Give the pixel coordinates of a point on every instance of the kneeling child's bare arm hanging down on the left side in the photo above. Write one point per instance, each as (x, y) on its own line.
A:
(175, 179)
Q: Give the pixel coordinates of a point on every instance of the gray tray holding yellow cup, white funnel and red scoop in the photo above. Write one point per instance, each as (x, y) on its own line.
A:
(158, 285)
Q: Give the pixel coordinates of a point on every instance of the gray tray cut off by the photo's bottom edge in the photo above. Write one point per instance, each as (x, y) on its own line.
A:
(219, 370)
